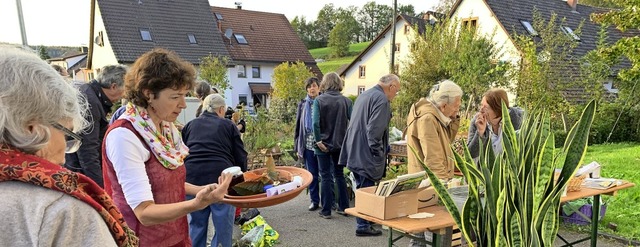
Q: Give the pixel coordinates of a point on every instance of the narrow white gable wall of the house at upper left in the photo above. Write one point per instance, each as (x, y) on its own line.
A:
(102, 55)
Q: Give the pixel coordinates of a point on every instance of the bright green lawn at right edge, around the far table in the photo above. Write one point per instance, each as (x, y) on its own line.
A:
(622, 161)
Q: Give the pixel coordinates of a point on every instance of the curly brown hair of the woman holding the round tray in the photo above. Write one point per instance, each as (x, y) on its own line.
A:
(157, 70)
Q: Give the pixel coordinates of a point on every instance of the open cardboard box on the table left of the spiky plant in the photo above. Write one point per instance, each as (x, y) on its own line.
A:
(393, 206)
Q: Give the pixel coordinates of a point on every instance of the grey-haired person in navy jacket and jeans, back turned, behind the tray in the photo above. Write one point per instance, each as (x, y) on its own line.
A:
(214, 145)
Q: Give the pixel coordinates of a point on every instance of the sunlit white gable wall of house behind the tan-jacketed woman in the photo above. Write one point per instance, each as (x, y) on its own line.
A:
(377, 60)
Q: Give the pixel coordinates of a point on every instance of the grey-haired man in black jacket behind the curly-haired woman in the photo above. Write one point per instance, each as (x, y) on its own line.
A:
(100, 93)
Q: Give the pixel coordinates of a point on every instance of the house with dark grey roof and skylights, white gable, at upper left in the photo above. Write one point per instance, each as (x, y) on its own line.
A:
(123, 30)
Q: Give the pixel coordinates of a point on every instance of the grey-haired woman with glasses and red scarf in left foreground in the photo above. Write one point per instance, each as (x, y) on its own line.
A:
(46, 204)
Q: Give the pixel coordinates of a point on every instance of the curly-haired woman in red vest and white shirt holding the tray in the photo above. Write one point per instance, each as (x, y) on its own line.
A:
(143, 153)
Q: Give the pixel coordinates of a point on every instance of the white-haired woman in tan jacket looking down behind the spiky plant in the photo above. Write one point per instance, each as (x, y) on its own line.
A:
(432, 125)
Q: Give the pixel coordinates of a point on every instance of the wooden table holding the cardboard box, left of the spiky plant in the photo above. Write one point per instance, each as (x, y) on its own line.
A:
(441, 225)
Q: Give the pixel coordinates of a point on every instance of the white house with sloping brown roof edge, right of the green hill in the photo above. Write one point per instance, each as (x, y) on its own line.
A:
(374, 61)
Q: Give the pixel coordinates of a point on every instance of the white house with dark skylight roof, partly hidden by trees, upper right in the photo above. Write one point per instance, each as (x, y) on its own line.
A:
(500, 19)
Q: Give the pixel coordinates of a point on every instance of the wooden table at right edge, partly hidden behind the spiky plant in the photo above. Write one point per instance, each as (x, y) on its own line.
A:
(595, 193)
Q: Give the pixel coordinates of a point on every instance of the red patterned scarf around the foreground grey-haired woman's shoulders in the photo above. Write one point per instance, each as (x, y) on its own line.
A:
(18, 166)
